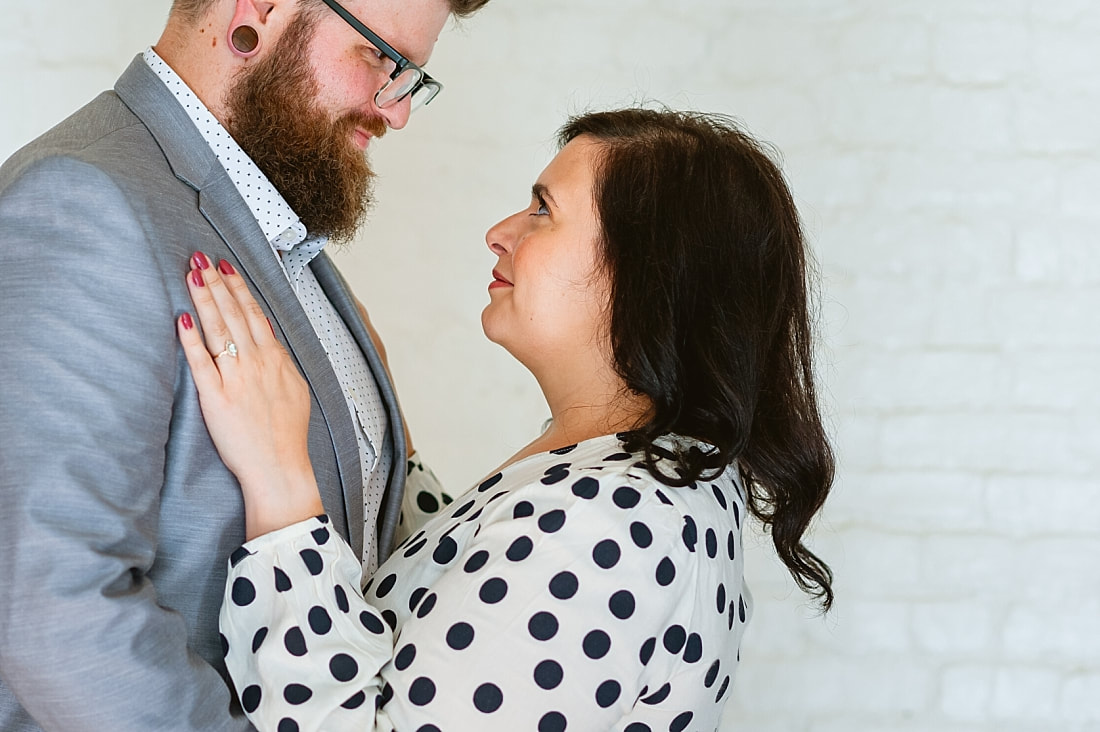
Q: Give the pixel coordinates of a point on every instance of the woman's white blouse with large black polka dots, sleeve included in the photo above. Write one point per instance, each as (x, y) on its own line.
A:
(573, 591)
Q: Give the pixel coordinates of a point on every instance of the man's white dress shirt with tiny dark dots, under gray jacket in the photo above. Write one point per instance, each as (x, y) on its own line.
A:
(294, 249)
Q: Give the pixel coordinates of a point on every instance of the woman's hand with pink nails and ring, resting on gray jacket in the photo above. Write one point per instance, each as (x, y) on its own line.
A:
(255, 401)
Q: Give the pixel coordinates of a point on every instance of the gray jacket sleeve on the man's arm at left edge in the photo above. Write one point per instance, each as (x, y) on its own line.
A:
(90, 376)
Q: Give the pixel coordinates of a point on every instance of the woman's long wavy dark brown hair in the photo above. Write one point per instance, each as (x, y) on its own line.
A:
(710, 312)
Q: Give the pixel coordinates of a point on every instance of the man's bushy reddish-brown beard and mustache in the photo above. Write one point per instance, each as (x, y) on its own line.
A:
(309, 157)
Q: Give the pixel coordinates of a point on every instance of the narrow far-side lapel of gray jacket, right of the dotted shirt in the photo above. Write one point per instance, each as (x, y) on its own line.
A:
(339, 294)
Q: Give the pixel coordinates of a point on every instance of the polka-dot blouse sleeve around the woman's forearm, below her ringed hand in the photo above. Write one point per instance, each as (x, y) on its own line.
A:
(296, 592)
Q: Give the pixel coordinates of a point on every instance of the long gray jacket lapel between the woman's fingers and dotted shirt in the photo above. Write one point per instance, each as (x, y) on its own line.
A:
(194, 163)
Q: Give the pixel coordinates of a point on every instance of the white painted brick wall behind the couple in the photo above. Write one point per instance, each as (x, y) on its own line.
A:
(947, 157)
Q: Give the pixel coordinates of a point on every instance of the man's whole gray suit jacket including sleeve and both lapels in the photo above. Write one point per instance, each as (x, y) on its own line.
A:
(117, 516)
